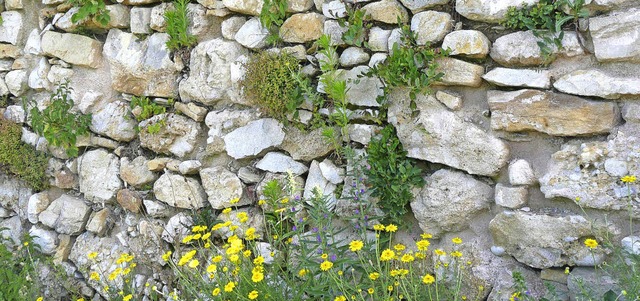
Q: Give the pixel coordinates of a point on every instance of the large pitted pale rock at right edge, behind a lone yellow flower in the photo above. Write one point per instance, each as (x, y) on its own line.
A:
(580, 172)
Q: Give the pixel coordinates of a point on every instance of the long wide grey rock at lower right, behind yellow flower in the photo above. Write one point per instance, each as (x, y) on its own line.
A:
(543, 241)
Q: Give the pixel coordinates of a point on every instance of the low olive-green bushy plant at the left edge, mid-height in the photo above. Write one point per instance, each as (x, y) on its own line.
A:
(21, 159)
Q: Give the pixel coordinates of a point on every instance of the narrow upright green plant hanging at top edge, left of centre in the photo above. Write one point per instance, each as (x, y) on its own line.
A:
(177, 26)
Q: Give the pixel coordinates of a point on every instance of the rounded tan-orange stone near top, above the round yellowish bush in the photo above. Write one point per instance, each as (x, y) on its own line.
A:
(301, 28)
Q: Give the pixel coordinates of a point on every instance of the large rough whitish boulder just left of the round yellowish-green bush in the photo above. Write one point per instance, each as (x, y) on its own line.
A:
(210, 77)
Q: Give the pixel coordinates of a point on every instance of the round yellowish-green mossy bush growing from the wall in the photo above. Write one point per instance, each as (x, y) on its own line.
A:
(273, 82)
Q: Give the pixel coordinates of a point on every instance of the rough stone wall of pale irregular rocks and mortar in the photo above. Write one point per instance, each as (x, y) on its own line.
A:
(517, 150)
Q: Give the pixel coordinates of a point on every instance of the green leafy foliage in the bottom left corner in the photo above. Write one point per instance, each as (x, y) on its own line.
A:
(18, 270)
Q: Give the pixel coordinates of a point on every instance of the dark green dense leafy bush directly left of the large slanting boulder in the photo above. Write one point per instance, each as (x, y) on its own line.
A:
(391, 174)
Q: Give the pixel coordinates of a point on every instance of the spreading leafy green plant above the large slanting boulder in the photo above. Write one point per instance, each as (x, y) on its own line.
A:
(410, 65)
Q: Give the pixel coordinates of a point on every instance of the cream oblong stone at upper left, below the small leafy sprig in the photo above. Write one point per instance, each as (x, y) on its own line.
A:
(72, 48)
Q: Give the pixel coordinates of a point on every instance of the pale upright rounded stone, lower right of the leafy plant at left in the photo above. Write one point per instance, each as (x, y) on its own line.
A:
(103, 188)
